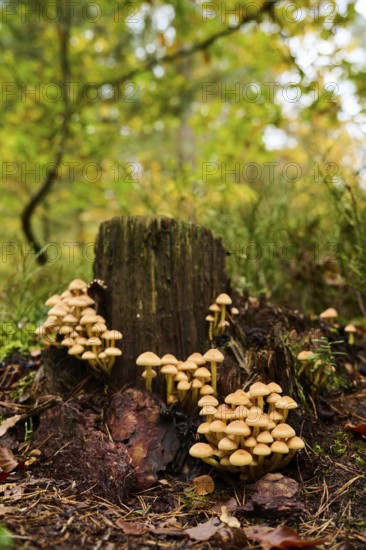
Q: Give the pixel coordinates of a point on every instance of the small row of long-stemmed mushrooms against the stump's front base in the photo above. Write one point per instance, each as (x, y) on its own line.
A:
(186, 381)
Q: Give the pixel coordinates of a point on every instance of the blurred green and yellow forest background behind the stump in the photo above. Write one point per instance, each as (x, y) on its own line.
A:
(247, 117)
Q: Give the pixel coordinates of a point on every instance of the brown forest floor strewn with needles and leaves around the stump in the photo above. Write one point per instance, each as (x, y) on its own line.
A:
(43, 506)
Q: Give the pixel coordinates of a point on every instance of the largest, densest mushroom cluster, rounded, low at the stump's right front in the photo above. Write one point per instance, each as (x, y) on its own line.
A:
(247, 434)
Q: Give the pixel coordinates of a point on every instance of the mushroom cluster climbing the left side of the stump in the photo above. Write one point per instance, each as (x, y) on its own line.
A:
(74, 323)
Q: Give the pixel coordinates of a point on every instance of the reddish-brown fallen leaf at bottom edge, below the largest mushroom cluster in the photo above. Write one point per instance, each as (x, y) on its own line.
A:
(281, 537)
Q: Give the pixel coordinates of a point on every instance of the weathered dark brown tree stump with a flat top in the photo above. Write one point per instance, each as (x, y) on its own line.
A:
(161, 277)
